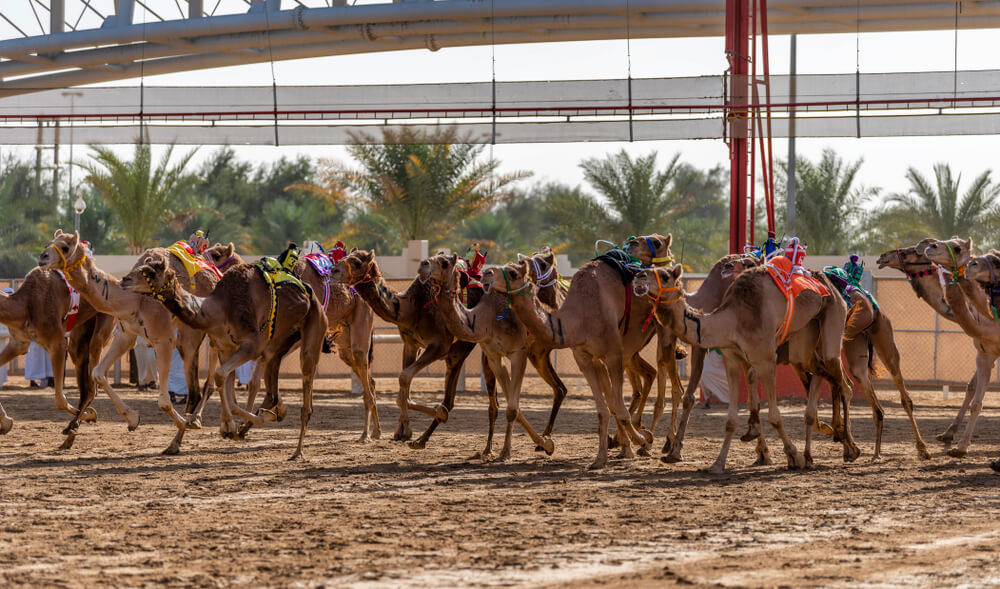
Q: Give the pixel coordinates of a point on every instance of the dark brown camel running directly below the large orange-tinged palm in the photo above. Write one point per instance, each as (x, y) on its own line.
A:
(417, 314)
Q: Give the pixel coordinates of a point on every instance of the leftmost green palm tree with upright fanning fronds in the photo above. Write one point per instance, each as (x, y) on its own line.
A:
(143, 198)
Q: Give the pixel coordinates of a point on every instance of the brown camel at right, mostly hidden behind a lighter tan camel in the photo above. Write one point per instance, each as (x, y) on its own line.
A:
(922, 276)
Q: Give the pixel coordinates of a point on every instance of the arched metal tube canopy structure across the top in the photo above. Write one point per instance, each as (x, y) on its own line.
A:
(91, 41)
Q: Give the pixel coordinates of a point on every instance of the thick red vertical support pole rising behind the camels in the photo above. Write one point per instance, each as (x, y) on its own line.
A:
(738, 53)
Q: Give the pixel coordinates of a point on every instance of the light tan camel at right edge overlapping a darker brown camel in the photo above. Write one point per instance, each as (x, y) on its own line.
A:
(964, 294)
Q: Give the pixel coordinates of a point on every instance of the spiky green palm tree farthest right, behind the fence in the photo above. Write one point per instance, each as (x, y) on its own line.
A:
(936, 208)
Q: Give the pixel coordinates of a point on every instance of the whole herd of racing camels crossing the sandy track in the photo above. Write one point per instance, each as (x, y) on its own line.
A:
(517, 313)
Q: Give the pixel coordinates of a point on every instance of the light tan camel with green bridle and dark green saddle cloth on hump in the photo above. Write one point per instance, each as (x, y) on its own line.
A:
(591, 322)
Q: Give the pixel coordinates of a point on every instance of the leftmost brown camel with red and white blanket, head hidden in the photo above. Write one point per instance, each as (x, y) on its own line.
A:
(40, 311)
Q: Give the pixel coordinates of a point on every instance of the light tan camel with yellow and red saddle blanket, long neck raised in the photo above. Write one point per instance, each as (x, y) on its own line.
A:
(136, 315)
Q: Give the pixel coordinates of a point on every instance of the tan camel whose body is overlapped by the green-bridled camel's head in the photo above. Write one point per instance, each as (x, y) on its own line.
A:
(497, 331)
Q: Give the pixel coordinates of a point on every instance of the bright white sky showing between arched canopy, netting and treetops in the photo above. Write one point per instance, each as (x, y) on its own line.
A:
(885, 159)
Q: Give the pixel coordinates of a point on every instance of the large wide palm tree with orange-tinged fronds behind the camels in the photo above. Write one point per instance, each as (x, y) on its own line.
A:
(422, 185)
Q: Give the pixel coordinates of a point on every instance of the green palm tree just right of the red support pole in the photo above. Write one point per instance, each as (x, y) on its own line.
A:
(828, 202)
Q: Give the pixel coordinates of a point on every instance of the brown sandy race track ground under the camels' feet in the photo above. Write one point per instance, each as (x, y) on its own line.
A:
(113, 511)
